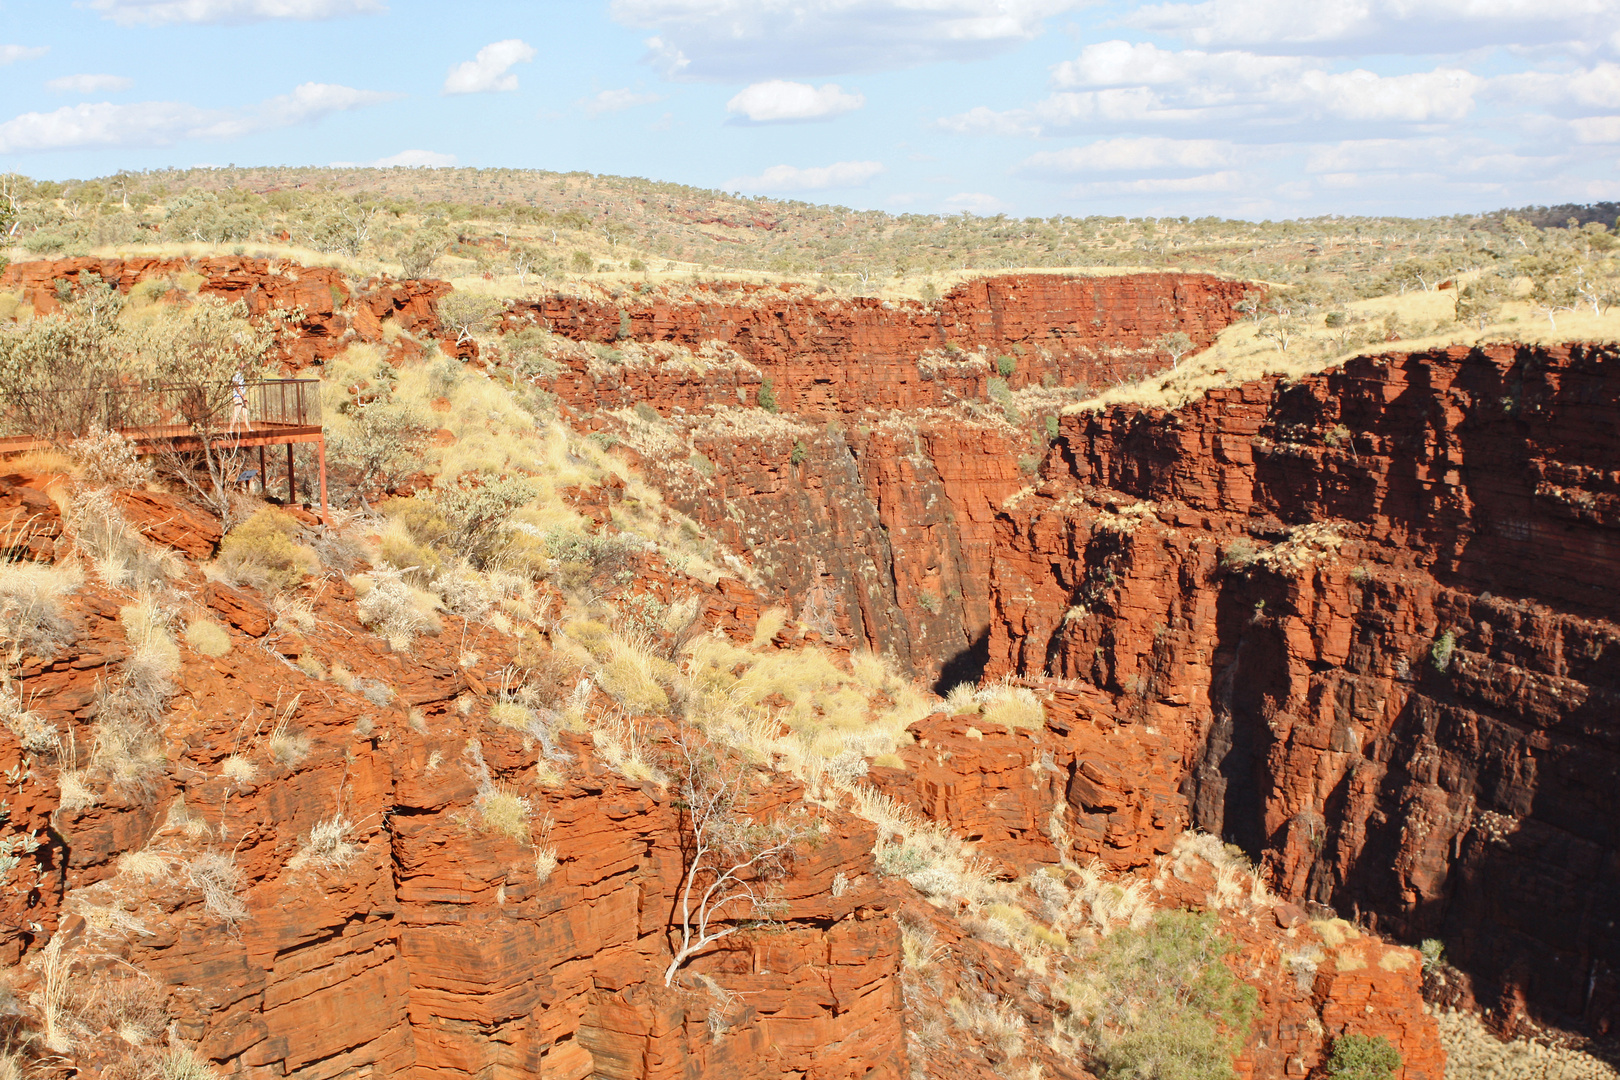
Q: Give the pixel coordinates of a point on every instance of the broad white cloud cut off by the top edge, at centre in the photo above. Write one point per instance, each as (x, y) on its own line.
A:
(730, 40)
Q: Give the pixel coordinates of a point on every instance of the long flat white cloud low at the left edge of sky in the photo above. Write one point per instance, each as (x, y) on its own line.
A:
(160, 124)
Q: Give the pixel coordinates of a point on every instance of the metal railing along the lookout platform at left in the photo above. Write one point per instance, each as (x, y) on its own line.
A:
(215, 407)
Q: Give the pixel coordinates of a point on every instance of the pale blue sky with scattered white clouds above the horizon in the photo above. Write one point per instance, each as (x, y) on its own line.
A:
(1260, 109)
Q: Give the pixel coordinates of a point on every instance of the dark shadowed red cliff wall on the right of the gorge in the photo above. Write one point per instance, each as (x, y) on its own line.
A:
(1376, 613)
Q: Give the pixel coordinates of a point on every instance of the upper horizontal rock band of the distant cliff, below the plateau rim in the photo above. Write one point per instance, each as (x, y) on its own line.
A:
(829, 357)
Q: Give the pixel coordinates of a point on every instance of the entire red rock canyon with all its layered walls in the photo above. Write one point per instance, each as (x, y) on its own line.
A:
(1360, 626)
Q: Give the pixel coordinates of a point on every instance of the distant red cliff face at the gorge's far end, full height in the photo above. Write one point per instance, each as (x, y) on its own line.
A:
(868, 503)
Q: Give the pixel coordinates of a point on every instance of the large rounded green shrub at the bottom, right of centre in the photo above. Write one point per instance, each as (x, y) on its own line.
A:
(1169, 1006)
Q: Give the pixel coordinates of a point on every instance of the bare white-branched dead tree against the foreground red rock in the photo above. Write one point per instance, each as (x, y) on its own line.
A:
(728, 856)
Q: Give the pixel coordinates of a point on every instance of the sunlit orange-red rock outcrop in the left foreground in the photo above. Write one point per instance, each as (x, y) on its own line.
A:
(417, 940)
